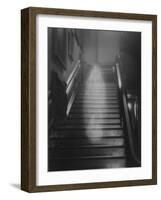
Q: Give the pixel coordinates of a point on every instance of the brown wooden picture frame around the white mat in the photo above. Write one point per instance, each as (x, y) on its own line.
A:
(29, 95)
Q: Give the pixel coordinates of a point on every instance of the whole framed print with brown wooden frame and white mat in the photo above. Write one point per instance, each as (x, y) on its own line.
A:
(89, 99)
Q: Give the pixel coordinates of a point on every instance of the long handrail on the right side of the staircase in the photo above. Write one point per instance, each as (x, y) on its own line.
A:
(127, 117)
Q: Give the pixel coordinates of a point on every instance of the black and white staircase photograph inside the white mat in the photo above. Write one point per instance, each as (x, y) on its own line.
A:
(94, 99)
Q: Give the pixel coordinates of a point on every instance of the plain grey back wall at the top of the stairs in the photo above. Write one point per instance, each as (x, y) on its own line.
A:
(100, 46)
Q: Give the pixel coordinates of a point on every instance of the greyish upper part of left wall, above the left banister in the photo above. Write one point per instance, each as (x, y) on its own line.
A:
(61, 50)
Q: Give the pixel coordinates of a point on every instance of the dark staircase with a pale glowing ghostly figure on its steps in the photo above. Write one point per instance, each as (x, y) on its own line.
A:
(92, 137)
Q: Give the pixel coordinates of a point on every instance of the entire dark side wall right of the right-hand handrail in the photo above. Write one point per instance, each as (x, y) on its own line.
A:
(130, 56)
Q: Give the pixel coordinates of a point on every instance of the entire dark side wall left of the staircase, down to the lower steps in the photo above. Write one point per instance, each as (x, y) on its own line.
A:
(64, 53)
